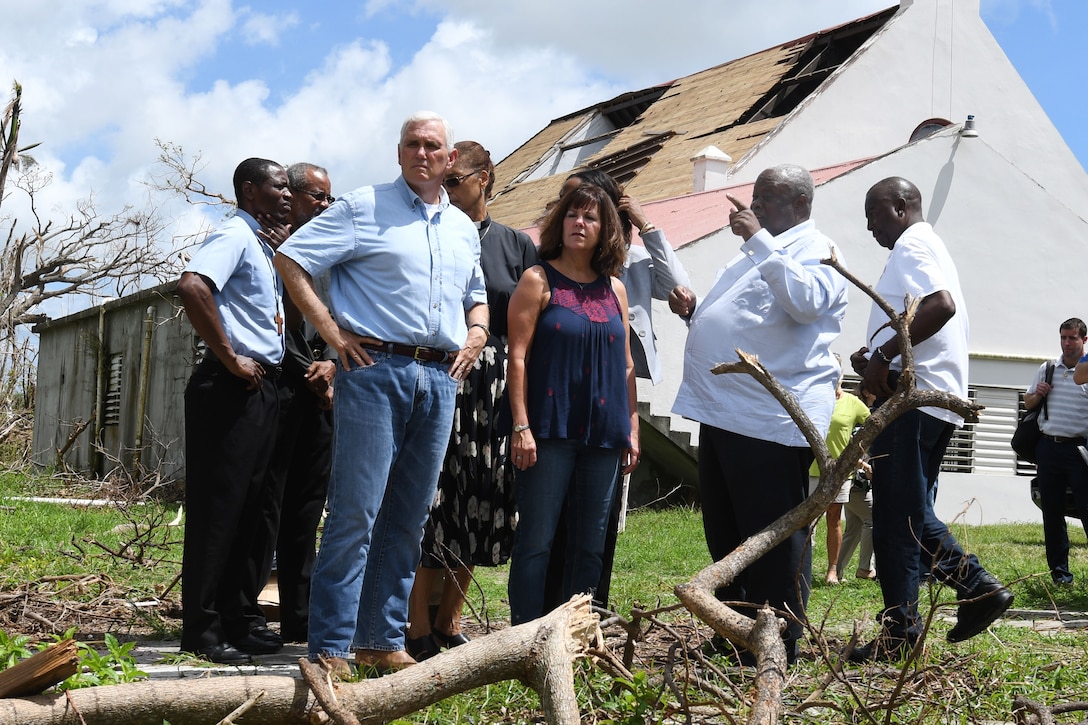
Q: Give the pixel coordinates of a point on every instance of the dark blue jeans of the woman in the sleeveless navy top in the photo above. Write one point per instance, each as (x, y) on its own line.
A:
(584, 478)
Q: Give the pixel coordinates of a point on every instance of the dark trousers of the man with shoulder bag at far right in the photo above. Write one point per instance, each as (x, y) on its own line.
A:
(1060, 466)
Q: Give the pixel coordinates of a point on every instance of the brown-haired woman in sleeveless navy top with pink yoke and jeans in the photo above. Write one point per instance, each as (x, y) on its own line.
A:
(573, 396)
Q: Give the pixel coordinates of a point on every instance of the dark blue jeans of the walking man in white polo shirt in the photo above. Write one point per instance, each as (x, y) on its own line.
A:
(907, 460)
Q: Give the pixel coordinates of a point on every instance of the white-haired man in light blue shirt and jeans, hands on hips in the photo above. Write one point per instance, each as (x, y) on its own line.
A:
(410, 317)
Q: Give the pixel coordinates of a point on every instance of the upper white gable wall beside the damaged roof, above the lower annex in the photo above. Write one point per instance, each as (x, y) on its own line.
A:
(934, 59)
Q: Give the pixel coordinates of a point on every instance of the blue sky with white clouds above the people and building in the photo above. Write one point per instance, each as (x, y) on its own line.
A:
(331, 82)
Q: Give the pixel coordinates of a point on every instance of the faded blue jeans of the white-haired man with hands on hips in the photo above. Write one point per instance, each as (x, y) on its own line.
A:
(391, 426)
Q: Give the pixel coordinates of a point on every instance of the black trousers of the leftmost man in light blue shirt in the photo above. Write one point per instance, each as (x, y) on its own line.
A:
(229, 438)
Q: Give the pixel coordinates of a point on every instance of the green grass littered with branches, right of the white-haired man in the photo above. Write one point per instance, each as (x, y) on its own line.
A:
(967, 683)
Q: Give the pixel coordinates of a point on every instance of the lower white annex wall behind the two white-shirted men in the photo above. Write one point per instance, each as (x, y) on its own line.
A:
(1019, 252)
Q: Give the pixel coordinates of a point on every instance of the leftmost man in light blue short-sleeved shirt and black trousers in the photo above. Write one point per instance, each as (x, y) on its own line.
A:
(231, 296)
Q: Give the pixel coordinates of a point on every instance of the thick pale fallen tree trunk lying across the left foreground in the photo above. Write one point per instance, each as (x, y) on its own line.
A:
(539, 654)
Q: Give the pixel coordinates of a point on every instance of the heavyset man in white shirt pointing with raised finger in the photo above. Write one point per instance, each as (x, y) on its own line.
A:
(776, 301)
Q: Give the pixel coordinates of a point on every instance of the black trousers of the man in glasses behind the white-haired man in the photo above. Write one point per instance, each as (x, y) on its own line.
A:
(296, 499)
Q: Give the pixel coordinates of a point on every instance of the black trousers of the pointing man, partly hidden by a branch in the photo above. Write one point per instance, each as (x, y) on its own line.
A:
(745, 485)
